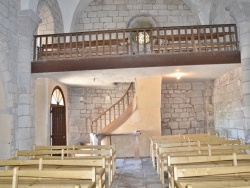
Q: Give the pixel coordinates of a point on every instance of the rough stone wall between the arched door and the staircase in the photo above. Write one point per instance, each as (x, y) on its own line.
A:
(85, 104)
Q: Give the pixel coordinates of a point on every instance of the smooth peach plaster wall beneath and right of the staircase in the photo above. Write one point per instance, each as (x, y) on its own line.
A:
(146, 119)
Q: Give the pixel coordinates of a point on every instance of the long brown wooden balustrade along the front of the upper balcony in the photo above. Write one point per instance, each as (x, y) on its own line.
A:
(139, 41)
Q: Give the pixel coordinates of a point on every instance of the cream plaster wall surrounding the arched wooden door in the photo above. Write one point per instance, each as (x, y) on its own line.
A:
(43, 91)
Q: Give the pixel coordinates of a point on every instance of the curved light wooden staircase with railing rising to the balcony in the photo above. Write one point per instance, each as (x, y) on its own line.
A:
(116, 115)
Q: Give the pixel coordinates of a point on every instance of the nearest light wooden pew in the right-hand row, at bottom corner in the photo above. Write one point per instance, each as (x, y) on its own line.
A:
(236, 176)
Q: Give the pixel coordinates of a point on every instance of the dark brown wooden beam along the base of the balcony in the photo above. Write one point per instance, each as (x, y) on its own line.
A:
(136, 61)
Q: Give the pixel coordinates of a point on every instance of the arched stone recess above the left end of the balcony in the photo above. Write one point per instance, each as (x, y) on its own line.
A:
(50, 13)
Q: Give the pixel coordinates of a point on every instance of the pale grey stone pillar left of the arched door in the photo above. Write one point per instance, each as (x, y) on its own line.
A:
(28, 23)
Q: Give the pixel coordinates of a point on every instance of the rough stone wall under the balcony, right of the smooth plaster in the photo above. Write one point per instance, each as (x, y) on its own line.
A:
(187, 108)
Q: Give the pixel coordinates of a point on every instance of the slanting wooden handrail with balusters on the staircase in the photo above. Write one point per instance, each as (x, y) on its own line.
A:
(126, 99)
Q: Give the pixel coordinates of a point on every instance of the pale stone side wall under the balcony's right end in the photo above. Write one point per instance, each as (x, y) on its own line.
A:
(228, 105)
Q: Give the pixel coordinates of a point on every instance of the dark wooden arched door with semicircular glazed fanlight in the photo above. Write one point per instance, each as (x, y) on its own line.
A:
(58, 118)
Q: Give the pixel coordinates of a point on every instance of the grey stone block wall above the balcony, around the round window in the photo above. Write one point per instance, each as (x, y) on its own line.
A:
(113, 14)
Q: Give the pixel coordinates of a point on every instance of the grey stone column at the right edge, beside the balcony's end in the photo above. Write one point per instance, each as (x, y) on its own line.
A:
(239, 10)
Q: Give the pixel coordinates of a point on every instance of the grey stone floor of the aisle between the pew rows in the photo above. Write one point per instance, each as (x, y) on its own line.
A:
(135, 173)
